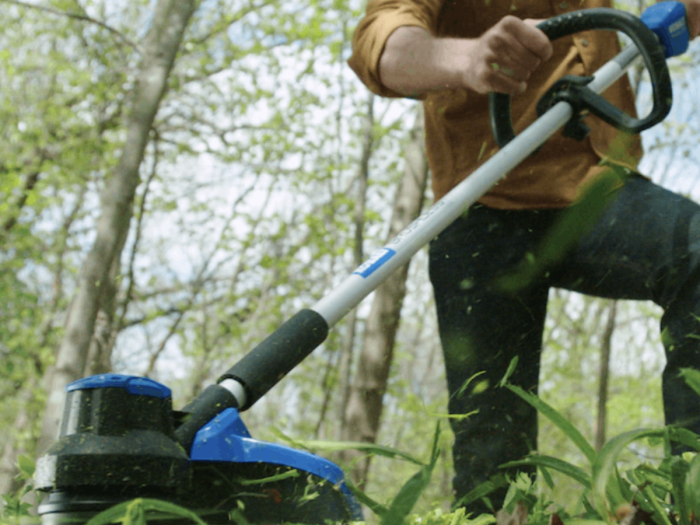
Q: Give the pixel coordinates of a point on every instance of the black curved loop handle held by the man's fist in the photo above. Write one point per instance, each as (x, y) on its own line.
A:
(599, 18)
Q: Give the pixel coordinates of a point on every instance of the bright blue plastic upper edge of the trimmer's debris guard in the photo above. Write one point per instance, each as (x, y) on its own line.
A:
(226, 438)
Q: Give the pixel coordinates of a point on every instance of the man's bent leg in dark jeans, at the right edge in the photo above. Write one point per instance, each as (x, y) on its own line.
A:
(646, 246)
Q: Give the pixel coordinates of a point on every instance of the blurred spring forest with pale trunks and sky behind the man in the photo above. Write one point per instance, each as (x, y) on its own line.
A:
(179, 177)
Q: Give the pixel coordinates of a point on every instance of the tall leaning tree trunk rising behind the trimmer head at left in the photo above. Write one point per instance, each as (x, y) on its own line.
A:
(159, 51)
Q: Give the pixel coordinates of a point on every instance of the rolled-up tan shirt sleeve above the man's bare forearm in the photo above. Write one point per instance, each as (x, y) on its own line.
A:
(382, 18)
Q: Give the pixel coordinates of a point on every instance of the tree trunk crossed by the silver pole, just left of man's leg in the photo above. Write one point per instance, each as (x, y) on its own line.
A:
(364, 408)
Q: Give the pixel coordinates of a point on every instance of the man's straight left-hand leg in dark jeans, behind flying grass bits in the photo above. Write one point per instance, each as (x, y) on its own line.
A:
(482, 329)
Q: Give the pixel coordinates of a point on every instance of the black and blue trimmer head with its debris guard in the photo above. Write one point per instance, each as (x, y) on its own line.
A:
(117, 442)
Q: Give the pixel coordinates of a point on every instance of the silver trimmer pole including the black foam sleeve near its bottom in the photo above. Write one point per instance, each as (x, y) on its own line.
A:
(250, 378)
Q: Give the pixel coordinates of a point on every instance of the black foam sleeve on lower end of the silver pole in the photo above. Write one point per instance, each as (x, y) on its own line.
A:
(276, 356)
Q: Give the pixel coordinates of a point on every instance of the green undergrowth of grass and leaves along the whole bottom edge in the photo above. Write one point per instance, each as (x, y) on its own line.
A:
(664, 493)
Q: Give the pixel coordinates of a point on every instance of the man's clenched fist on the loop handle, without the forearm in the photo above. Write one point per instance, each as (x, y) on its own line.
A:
(505, 56)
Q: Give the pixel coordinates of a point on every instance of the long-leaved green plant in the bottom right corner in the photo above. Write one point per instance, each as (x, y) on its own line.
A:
(667, 494)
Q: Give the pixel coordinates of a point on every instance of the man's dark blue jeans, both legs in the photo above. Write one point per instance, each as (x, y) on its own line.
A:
(645, 245)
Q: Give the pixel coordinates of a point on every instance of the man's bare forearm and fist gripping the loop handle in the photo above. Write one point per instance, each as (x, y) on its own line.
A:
(414, 62)
